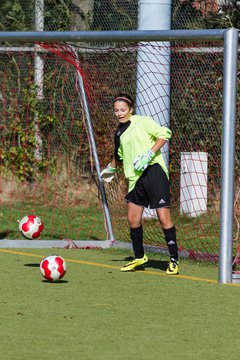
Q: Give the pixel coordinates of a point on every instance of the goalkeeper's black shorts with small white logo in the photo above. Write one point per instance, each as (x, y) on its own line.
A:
(151, 189)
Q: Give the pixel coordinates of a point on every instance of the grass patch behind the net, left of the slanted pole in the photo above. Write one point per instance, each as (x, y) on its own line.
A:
(73, 223)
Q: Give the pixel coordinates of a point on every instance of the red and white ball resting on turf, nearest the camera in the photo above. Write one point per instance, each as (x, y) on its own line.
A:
(53, 267)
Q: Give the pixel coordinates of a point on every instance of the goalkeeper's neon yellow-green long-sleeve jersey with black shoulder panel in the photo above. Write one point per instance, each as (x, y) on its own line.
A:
(135, 138)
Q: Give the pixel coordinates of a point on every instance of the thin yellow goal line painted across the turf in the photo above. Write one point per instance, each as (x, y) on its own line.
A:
(147, 272)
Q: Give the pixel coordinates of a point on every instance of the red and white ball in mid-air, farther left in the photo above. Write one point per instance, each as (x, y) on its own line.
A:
(31, 226)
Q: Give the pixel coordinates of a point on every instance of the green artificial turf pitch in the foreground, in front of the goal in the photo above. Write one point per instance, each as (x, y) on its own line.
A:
(97, 312)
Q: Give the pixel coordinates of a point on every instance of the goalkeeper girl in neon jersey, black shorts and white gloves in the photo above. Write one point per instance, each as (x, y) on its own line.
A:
(138, 141)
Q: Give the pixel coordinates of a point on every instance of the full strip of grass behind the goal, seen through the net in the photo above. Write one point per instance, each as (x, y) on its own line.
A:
(199, 236)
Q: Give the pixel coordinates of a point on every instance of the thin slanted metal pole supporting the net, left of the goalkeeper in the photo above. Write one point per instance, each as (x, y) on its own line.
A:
(95, 157)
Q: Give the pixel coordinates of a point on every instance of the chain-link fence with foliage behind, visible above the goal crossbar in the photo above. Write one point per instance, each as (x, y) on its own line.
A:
(64, 15)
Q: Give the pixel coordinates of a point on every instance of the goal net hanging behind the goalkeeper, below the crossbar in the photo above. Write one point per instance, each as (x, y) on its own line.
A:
(46, 157)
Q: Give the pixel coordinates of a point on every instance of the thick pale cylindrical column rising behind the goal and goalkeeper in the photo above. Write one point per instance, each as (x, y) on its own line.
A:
(153, 68)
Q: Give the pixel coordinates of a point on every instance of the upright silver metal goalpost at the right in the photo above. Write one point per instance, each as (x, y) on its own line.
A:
(228, 152)
